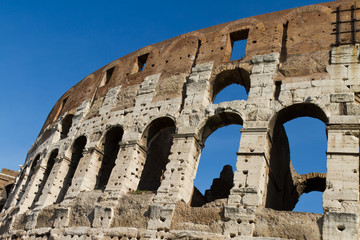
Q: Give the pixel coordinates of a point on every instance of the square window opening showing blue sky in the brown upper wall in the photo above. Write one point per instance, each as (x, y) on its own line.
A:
(238, 44)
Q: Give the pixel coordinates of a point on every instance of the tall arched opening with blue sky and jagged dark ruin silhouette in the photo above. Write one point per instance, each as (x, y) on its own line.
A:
(215, 173)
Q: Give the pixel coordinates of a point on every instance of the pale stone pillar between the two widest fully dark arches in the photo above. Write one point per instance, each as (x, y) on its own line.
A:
(126, 173)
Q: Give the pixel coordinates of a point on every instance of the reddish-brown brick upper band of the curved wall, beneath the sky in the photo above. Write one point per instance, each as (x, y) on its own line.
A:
(302, 35)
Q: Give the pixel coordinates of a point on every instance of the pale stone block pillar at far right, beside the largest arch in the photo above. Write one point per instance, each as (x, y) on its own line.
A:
(341, 197)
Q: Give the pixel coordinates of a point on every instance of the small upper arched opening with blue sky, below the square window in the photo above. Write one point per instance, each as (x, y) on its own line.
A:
(237, 76)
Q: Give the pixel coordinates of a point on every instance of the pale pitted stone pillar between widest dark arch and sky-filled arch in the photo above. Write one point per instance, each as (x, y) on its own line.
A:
(178, 182)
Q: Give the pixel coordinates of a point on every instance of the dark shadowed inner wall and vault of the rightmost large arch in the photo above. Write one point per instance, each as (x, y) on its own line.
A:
(285, 185)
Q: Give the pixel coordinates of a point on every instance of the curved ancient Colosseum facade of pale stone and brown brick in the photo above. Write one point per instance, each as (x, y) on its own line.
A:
(118, 153)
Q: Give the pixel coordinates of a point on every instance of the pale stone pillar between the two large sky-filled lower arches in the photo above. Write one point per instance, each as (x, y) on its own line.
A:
(249, 182)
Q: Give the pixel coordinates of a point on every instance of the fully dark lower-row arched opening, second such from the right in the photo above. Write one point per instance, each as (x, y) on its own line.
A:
(111, 150)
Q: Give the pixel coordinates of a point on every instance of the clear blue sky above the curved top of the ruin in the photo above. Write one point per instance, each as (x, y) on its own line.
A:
(48, 46)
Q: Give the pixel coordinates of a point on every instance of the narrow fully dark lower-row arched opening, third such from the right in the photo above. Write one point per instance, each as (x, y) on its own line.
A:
(77, 154)
